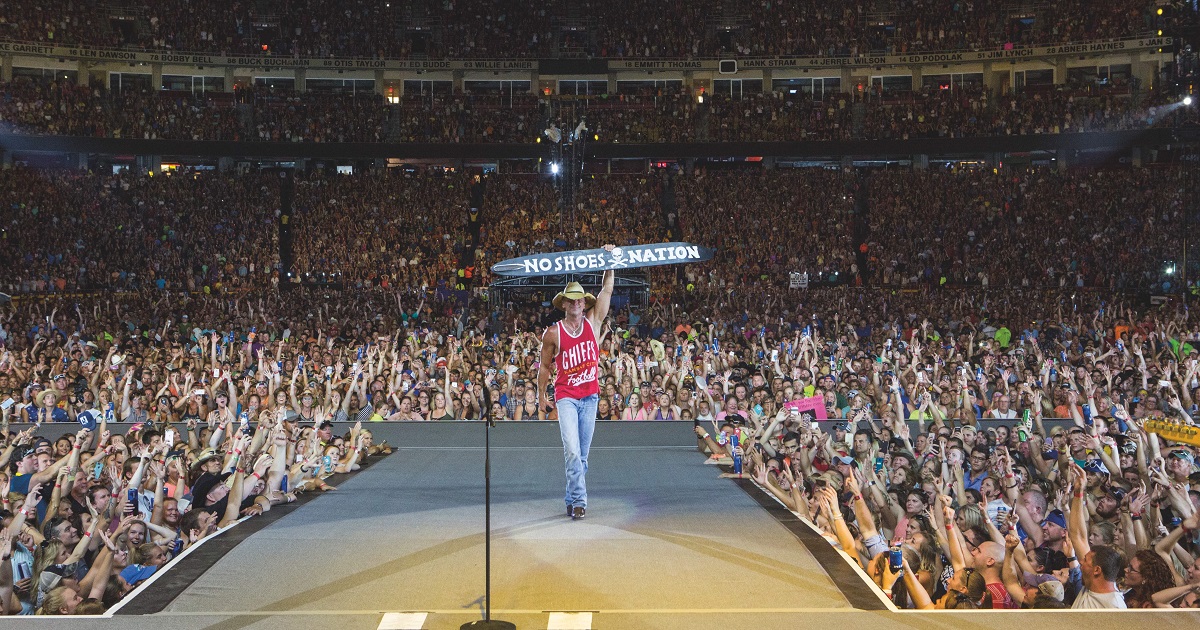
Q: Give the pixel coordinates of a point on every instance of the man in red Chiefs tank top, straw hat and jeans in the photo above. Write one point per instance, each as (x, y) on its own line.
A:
(574, 347)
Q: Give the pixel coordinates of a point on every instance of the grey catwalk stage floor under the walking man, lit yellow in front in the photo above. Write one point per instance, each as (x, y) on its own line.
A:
(667, 544)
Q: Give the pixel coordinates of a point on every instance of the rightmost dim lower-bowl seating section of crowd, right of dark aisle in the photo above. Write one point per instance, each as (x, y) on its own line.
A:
(1036, 229)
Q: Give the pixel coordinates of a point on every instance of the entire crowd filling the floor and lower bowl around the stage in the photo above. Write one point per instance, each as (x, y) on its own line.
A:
(201, 386)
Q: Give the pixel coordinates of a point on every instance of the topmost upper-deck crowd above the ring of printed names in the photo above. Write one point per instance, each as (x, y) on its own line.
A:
(627, 29)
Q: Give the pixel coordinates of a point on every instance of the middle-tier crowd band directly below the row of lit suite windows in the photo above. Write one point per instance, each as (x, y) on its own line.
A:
(261, 115)
